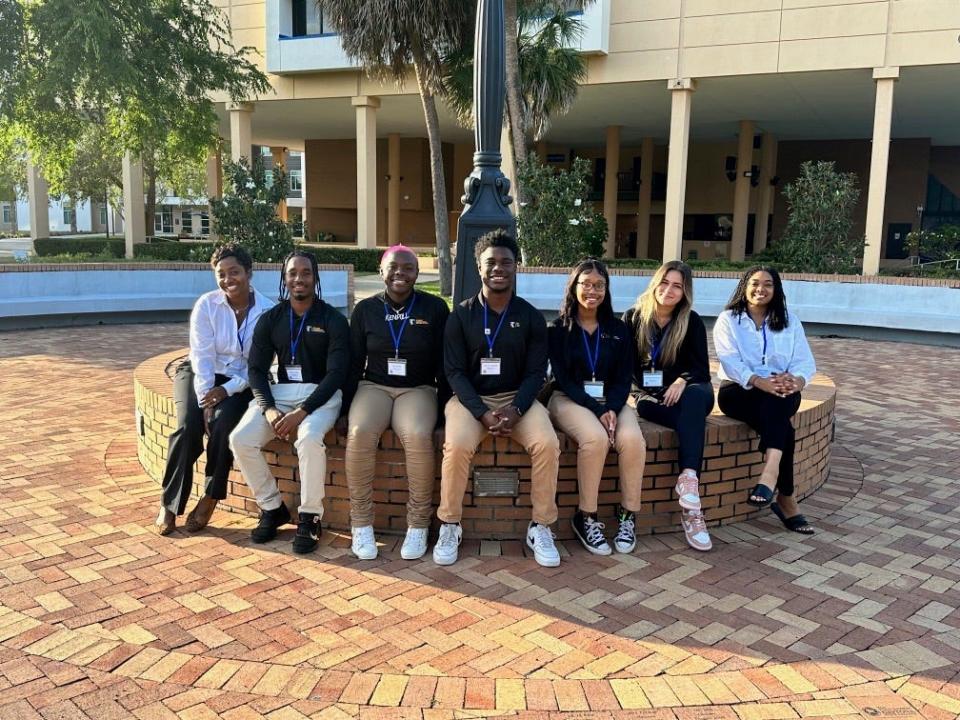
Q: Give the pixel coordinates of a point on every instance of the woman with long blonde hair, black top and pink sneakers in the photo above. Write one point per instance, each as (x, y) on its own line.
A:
(673, 373)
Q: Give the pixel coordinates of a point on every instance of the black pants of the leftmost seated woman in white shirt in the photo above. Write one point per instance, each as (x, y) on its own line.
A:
(186, 442)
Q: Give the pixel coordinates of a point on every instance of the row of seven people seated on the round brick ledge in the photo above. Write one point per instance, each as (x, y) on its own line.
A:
(259, 371)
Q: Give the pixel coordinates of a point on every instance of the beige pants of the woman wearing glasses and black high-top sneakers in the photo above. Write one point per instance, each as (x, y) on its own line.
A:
(593, 444)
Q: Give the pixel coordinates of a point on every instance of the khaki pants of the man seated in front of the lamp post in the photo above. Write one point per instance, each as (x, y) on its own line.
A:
(464, 433)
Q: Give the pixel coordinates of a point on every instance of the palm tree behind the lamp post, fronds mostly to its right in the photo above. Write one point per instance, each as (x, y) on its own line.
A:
(543, 75)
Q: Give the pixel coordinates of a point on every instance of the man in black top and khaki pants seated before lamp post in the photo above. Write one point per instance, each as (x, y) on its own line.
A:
(495, 355)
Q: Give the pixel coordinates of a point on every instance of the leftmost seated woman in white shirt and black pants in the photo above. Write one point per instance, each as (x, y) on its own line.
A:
(210, 390)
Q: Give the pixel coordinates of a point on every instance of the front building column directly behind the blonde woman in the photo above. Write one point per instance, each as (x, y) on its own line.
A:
(681, 104)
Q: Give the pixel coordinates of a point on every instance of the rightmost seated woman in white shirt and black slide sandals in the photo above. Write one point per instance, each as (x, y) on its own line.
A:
(765, 361)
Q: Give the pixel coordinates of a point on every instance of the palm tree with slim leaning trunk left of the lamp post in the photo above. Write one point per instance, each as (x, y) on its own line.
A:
(391, 37)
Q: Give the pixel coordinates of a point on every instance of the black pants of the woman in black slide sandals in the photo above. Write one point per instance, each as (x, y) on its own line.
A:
(769, 415)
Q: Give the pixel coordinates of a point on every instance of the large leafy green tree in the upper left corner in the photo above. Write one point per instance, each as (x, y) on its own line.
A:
(146, 71)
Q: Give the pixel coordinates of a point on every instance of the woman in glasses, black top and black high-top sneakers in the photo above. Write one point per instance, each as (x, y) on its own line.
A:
(592, 370)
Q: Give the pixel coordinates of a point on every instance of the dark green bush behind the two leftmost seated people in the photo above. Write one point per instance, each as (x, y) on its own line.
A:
(247, 214)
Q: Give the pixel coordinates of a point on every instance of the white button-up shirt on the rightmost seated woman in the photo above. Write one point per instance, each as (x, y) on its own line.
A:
(739, 345)
